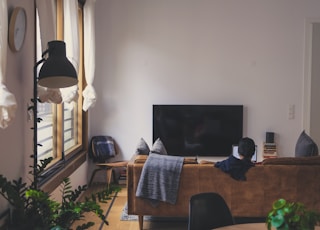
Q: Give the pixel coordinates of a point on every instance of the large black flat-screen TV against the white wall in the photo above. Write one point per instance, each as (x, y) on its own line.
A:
(198, 130)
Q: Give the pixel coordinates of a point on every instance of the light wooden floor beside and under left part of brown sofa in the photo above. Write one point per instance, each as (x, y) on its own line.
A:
(115, 212)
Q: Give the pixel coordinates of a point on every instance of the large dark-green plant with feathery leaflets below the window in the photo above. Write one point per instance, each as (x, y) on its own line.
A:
(32, 208)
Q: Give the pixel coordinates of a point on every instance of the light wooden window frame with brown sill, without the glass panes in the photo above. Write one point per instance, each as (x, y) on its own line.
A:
(65, 167)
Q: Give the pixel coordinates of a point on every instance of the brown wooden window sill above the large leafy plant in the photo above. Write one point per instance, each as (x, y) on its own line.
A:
(50, 185)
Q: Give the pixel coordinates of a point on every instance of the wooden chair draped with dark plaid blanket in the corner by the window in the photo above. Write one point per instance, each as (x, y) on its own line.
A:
(101, 150)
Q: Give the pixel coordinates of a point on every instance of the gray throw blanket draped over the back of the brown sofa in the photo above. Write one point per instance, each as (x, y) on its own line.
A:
(159, 180)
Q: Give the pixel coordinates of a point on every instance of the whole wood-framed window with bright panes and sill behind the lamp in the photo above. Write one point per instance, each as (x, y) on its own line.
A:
(63, 129)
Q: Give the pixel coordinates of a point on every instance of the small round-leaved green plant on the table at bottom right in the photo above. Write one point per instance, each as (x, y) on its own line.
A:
(291, 216)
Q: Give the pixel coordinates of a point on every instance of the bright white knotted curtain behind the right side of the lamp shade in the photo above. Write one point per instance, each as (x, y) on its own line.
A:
(71, 38)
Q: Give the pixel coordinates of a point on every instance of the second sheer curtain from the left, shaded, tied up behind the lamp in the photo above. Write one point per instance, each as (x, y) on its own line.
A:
(47, 25)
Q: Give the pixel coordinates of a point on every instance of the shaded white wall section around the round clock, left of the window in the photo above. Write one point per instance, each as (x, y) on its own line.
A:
(16, 140)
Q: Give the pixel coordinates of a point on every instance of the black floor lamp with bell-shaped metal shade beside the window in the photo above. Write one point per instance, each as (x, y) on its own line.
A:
(56, 72)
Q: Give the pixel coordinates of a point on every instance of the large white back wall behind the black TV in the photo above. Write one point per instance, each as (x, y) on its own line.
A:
(200, 52)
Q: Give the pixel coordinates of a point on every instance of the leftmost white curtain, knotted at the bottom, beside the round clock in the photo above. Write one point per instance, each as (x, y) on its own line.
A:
(8, 104)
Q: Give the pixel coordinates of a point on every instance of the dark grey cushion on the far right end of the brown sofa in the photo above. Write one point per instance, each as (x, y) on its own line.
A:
(305, 146)
